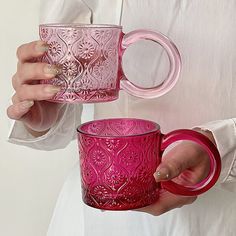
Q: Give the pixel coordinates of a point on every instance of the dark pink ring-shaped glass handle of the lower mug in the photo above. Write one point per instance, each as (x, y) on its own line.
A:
(214, 156)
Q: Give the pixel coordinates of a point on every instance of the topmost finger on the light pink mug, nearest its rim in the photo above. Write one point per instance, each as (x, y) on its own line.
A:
(29, 51)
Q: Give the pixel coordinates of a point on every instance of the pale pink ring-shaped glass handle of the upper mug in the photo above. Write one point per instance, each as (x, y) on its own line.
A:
(173, 55)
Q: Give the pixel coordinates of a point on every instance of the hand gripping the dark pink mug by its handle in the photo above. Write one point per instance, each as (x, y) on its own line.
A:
(187, 164)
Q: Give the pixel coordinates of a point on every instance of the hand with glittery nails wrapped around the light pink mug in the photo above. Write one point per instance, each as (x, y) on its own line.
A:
(28, 101)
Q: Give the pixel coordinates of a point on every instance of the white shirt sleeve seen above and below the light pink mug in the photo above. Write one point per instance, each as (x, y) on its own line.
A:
(64, 129)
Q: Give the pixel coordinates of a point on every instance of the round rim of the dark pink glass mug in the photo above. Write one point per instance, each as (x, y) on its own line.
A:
(155, 129)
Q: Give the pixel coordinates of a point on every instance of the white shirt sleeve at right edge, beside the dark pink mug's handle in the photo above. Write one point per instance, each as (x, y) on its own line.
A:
(224, 133)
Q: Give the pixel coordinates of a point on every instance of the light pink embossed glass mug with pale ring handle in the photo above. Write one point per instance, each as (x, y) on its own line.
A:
(90, 57)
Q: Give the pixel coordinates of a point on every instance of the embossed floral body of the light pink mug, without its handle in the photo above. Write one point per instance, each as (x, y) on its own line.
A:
(88, 58)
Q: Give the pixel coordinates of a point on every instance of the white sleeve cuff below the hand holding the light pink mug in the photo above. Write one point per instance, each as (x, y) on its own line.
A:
(58, 137)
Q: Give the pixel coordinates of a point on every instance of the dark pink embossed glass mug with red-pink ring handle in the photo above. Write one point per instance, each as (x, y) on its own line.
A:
(118, 158)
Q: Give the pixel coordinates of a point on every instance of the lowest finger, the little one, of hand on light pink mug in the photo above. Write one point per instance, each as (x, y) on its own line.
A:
(18, 110)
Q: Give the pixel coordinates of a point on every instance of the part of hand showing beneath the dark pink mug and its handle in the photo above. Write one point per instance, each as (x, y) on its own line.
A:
(166, 202)
